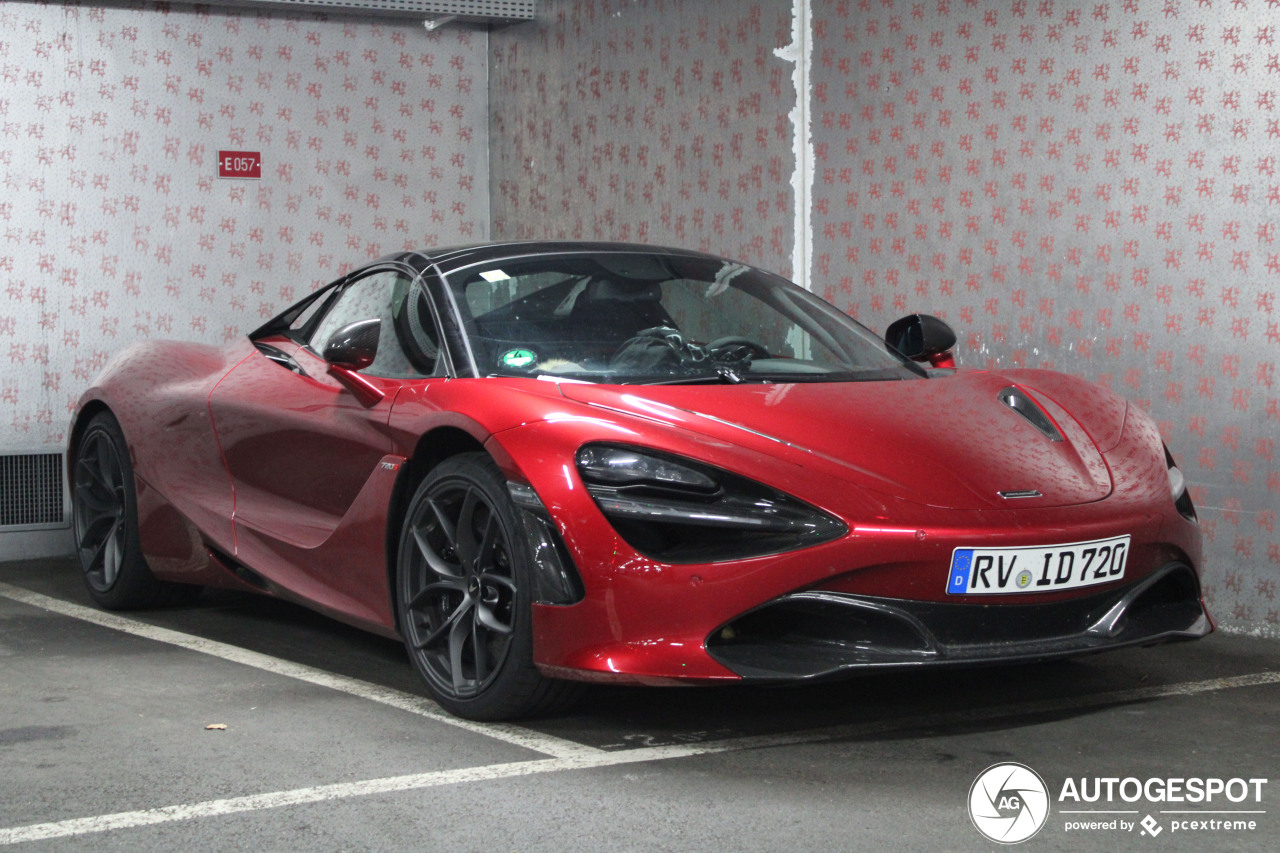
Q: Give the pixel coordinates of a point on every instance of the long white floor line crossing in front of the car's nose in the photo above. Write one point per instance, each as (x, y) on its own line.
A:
(417, 782)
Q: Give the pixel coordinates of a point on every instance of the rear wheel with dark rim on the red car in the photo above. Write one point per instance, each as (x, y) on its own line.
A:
(106, 519)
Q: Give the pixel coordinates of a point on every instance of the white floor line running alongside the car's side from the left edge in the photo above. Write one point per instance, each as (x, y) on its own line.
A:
(418, 705)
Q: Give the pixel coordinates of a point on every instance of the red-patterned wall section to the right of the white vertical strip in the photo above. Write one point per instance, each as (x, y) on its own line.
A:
(1084, 186)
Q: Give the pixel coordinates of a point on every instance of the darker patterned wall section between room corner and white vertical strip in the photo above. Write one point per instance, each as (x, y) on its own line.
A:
(660, 122)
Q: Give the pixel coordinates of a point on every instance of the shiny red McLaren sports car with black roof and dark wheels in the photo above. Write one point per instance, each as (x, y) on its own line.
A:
(543, 464)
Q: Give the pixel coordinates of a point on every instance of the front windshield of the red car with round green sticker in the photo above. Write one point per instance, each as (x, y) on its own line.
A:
(651, 318)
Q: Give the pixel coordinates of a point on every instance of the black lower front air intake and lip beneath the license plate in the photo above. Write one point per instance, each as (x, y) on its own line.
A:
(812, 636)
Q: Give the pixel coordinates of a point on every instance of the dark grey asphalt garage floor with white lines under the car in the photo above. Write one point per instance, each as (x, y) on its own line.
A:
(324, 742)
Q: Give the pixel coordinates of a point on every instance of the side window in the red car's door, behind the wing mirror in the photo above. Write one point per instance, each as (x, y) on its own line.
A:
(408, 343)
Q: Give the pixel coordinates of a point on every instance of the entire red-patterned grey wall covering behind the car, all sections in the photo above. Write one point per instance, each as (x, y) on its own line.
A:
(1086, 186)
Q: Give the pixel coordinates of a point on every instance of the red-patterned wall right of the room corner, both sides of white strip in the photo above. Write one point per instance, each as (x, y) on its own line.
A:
(1084, 186)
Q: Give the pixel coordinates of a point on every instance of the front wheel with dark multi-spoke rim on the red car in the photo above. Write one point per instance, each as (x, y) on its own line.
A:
(464, 596)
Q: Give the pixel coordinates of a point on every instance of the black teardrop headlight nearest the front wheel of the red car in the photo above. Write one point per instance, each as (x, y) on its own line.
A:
(679, 510)
